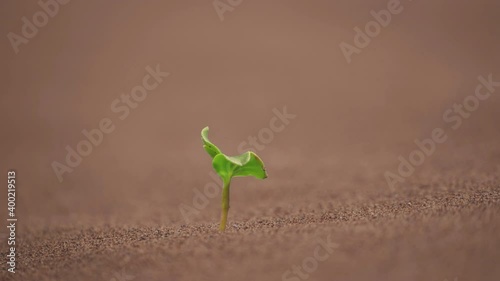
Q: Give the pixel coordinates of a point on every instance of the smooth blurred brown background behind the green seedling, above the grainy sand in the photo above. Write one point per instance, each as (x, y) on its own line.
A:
(353, 120)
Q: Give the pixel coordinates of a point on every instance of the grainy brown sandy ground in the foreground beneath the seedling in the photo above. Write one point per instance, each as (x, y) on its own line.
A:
(444, 231)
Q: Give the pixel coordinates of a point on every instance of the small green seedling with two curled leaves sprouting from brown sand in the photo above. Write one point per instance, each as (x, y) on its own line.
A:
(227, 167)
